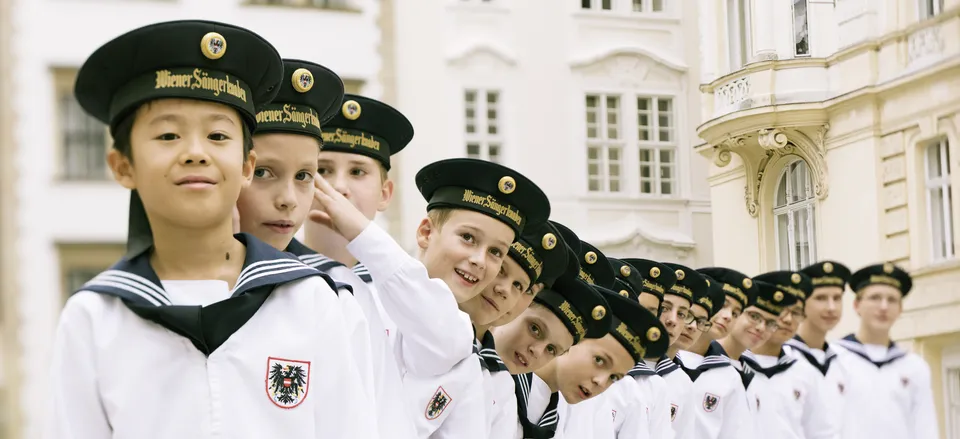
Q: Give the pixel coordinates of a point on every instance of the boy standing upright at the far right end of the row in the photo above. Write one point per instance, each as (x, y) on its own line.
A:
(887, 390)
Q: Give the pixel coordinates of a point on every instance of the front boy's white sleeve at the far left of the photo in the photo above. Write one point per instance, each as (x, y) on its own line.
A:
(77, 411)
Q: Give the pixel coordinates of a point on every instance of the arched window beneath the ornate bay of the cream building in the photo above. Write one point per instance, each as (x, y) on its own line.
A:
(794, 212)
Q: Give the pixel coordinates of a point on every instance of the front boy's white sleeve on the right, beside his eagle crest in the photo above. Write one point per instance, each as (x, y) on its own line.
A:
(345, 410)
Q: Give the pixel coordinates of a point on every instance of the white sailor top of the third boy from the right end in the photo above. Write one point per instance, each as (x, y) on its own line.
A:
(791, 406)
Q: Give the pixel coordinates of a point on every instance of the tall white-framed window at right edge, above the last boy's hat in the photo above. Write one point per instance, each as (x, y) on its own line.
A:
(941, 247)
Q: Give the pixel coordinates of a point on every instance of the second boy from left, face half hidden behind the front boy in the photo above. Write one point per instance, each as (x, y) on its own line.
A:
(276, 203)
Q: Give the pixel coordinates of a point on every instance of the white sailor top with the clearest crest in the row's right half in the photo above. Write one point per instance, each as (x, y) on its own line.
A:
(718, 399)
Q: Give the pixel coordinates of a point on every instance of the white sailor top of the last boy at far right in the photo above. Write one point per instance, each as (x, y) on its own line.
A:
(887, 392)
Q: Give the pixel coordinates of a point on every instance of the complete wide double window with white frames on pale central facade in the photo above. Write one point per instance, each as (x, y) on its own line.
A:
(629, 144)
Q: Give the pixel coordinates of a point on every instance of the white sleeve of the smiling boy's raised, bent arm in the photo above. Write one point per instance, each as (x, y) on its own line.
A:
(435, 336)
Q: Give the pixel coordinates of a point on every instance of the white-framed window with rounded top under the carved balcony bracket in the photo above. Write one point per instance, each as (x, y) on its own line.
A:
(790, 211)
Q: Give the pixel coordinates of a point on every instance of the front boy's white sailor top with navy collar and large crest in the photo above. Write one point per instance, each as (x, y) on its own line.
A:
(138, 358)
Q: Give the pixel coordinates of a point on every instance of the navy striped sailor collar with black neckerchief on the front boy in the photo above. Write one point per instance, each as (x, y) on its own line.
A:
(136, 283)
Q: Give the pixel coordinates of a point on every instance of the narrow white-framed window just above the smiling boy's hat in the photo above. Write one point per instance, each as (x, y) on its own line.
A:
(481, 123)
